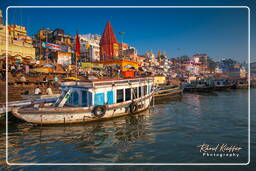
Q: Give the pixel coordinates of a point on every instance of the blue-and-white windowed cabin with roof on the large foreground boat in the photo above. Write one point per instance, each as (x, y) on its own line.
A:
(93, 93)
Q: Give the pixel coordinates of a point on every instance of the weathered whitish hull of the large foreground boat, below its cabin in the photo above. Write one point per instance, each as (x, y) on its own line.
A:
(77, 115)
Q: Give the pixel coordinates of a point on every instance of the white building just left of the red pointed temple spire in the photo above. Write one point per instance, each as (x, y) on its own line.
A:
(90, 47)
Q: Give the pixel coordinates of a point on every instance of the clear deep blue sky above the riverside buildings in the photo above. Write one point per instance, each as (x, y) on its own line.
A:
(221, 33)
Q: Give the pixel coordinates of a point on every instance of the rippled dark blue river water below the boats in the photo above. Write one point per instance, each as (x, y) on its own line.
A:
(168, 133)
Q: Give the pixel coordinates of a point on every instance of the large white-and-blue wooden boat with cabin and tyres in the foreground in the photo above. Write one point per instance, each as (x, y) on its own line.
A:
(83, 101)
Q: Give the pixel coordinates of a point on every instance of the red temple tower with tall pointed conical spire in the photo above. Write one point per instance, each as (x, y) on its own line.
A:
(109, 47)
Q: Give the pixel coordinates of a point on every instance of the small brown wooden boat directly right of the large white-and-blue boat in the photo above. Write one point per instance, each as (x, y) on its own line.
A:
(167, 91)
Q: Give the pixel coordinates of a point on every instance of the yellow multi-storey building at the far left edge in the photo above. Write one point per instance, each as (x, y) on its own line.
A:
(19, 43)
